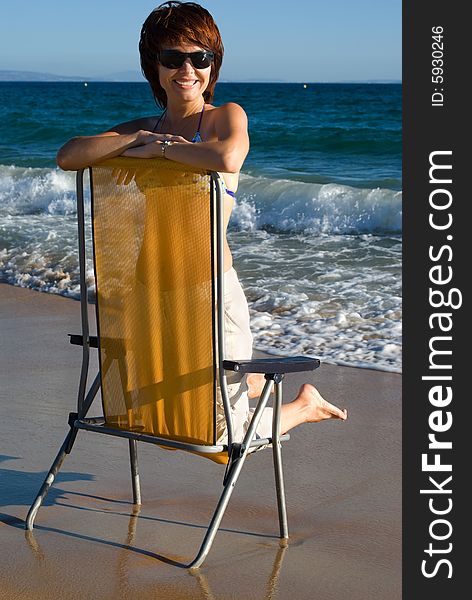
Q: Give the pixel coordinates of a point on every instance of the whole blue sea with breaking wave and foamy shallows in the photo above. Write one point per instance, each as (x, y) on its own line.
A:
(316, 230)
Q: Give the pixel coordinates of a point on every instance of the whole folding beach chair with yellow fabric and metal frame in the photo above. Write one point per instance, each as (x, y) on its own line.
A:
(157, 242)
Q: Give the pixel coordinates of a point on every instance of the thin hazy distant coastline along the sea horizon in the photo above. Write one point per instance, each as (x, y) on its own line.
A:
(136, 77)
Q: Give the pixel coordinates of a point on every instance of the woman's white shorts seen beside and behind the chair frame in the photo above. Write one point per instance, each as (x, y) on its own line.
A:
(238, 346)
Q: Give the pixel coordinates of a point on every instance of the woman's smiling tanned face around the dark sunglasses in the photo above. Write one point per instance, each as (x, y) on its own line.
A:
(186, 83)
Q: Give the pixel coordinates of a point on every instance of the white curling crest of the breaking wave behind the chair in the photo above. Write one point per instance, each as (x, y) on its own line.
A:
(280, 205)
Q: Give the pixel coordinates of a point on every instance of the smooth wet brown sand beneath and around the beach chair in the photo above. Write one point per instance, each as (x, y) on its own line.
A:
(343, 485)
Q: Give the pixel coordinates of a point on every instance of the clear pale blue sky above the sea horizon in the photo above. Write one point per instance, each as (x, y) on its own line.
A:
(303, 40)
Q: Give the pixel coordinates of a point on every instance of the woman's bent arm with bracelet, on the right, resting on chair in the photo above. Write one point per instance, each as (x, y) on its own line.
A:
(226, 154)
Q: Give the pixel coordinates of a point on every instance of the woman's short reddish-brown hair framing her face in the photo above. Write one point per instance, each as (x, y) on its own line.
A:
(174, 23)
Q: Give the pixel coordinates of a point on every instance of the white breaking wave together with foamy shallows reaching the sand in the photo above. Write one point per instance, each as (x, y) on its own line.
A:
(331, 289)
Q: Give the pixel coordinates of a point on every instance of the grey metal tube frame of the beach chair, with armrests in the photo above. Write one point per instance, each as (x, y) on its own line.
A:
(273, 369)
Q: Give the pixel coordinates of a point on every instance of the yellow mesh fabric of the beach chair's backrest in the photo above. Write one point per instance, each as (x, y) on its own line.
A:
(153, 250)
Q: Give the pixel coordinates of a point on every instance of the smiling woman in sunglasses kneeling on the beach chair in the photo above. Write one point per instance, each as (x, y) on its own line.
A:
(181, 54)
